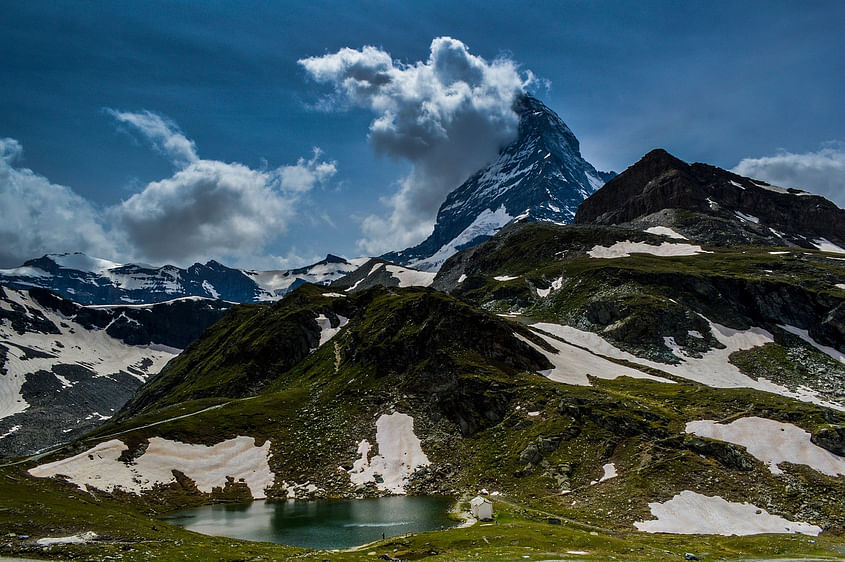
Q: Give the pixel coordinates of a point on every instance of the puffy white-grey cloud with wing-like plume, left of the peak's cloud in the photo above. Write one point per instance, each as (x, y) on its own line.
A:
(209, 208)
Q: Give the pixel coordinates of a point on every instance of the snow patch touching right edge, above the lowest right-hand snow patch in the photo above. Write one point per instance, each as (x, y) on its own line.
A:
(772, 442)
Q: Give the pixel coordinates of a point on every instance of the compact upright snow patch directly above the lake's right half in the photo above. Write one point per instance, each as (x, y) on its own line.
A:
(399, 455)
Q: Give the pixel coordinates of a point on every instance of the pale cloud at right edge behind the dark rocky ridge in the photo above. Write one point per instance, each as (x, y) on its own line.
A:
(821, 172)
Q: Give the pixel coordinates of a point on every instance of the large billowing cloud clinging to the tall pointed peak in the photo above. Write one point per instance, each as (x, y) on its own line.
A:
(448, 116)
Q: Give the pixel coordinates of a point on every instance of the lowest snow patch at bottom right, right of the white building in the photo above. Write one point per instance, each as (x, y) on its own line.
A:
(690, 513)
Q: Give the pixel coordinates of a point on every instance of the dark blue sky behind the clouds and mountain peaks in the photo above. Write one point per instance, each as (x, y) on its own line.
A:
(716, 82)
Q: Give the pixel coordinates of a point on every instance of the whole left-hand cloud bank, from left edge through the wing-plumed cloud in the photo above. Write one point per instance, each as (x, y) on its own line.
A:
(207, 208)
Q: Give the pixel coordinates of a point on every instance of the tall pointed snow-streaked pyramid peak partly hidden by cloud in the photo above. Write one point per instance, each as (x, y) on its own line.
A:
(539, 176)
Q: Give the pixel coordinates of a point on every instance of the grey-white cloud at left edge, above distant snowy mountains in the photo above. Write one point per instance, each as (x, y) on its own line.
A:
(41, 217)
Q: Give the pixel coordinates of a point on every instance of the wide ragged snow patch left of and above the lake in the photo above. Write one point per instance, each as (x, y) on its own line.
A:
(239, 458)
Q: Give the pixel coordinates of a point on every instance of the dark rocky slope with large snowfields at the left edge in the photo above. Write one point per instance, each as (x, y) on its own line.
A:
(65, 368)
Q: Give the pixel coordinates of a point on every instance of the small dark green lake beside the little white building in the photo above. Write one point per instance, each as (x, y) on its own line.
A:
(319, 524)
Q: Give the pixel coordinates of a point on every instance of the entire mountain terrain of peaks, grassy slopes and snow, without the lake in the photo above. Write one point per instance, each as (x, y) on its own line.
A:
(636, 379)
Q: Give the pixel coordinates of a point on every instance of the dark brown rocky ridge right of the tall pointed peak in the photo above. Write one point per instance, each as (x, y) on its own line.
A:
(659, 181)
